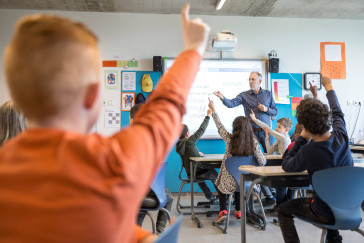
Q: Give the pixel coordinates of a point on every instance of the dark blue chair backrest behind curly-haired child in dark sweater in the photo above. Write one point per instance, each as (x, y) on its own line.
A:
(342, 188)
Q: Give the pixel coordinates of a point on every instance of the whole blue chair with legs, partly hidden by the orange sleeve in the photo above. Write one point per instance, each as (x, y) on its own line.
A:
(157, 199)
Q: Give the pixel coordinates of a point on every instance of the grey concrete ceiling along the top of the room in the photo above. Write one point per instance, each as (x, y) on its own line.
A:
(328, 9)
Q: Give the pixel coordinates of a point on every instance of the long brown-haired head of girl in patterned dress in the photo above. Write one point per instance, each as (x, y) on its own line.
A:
(242, 140)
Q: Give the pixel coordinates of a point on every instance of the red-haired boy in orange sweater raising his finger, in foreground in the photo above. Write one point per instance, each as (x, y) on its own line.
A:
(57, 182)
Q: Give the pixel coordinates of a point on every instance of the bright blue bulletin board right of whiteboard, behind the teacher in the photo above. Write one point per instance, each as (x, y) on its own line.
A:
(285, 110)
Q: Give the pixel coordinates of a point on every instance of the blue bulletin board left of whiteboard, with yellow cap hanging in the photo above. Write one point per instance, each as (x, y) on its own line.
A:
(155, 76)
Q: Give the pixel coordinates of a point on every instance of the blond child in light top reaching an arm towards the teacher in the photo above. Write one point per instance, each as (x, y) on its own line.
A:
(284, 125)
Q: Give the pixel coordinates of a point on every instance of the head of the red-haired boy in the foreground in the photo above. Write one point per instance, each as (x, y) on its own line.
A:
(52, 69)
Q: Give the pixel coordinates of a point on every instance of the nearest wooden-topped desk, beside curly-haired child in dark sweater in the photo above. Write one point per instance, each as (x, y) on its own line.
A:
(272, 176)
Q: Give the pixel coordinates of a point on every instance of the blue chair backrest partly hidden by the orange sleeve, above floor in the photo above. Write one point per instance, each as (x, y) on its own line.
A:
(158, 186)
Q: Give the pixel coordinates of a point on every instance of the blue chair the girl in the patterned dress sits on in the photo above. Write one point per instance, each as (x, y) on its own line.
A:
(232, 165)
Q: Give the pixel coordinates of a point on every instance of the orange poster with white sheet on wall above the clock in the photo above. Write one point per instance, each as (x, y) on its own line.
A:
(333, 61)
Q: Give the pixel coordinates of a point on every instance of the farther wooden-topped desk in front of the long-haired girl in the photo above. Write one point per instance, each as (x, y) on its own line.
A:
(214, 161)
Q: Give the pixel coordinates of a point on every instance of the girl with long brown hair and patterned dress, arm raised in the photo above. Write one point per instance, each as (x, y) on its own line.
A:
(241, 142)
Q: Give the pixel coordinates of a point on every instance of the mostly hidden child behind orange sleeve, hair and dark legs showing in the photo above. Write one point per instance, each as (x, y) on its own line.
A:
(162, 216)
